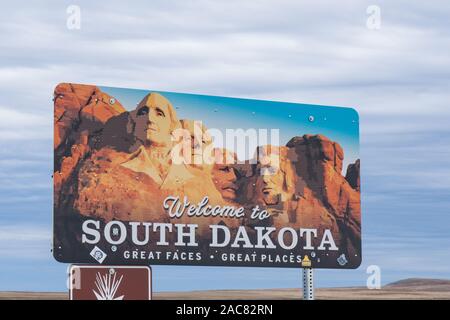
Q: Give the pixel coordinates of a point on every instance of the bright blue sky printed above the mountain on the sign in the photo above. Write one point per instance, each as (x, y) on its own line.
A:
(291, 119)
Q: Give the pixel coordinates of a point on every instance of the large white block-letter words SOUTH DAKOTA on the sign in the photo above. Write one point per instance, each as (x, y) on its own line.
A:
(220, 235)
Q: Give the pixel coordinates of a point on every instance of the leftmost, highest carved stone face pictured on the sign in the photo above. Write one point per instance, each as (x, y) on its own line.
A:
(155, 119)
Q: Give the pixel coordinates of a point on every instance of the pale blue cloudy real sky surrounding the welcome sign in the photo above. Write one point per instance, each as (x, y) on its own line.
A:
(397, 76)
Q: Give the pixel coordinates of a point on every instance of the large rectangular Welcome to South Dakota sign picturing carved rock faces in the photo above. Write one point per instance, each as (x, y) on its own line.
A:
(147, 177)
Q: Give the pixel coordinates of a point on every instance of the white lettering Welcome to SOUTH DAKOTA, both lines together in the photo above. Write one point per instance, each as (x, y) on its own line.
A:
(287, 238)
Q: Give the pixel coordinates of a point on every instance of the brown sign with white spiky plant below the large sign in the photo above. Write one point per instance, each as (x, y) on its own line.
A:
(110, 283)
